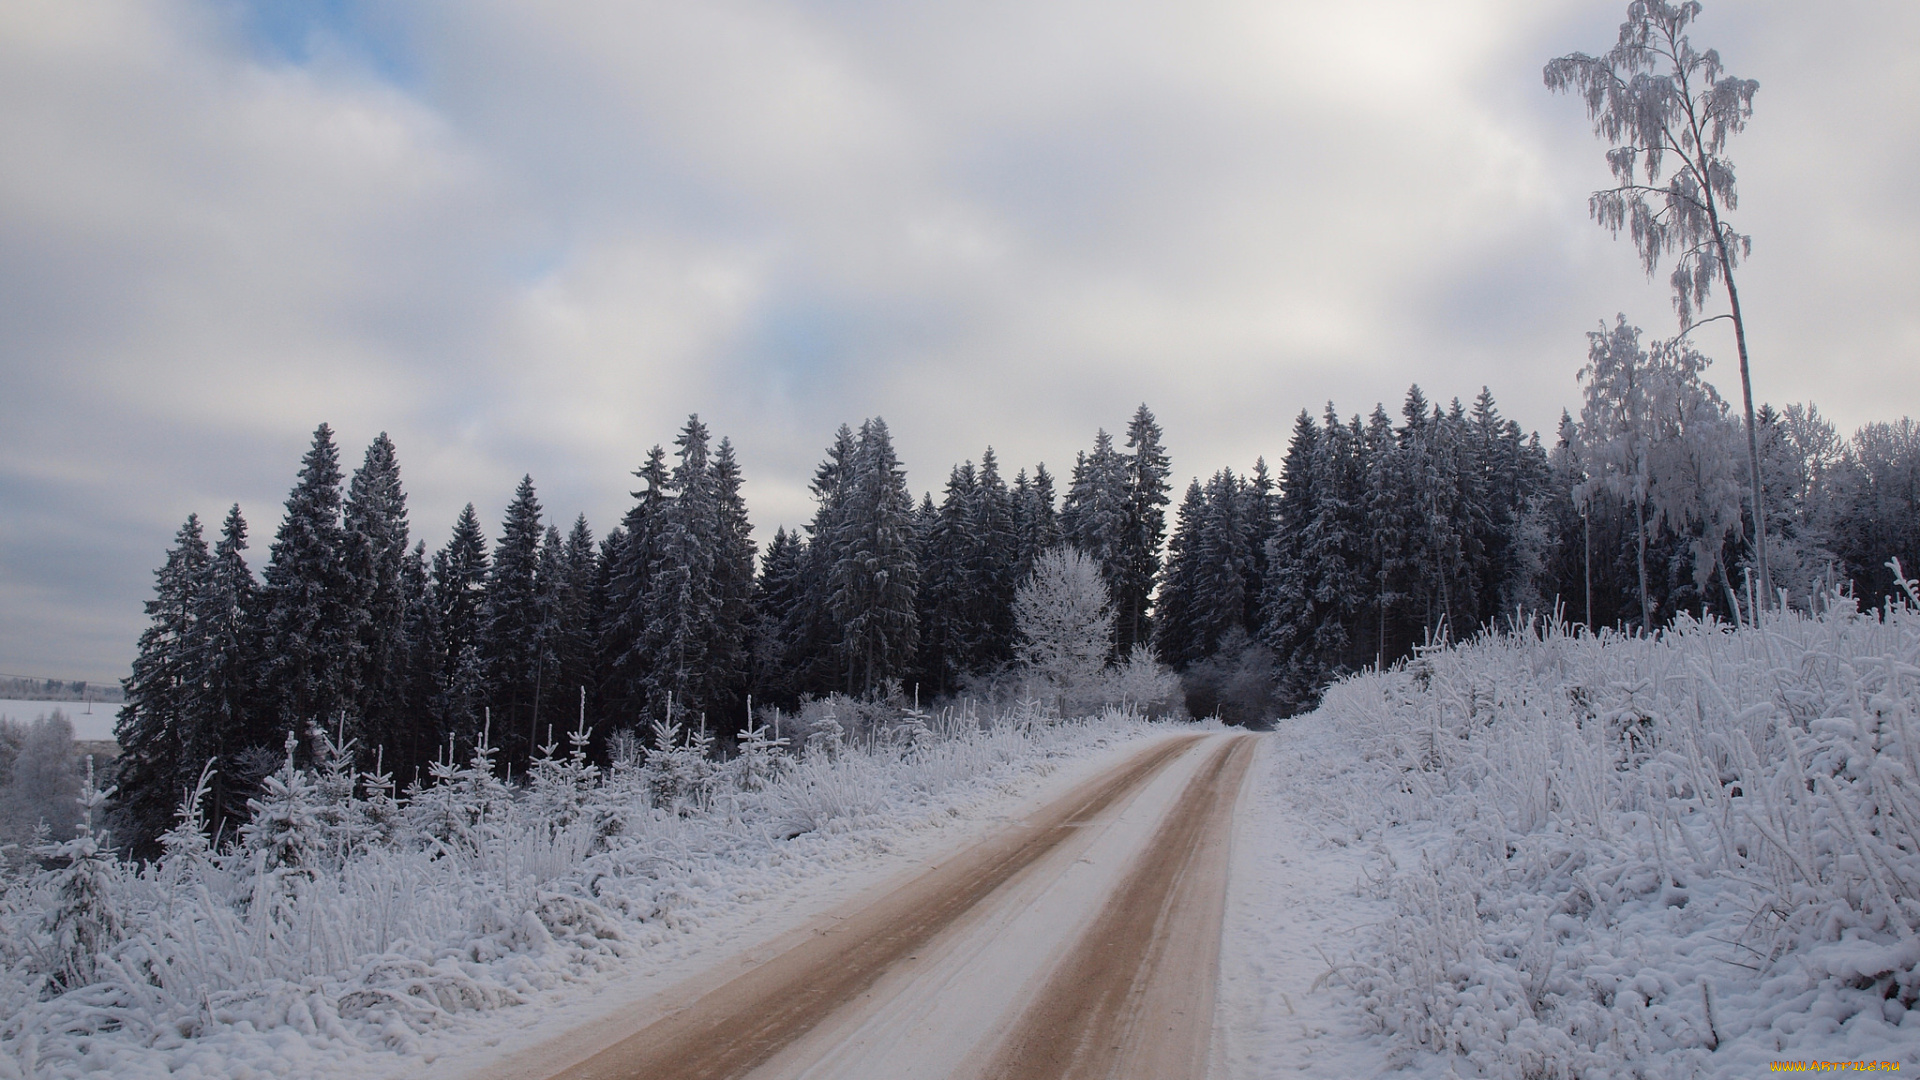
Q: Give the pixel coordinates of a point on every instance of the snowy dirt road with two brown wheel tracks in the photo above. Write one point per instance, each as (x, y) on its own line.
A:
(1082, 941)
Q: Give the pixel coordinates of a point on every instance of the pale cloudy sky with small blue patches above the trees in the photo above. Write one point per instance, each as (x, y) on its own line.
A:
(535, 237)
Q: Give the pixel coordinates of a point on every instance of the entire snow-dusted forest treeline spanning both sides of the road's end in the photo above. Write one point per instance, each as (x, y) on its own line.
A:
(1376, 537)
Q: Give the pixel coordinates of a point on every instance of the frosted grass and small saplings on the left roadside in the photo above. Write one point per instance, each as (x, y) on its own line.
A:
(347, 927)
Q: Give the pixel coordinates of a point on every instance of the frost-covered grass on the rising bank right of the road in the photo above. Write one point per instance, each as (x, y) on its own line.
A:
(1643, 858)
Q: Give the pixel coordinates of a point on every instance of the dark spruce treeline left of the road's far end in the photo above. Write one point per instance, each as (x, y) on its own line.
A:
(414, 658)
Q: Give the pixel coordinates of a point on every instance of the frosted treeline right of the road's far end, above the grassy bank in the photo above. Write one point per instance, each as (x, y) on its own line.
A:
(1381, 535)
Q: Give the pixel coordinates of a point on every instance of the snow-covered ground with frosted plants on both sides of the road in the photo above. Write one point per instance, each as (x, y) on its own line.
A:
(1539, 856)
